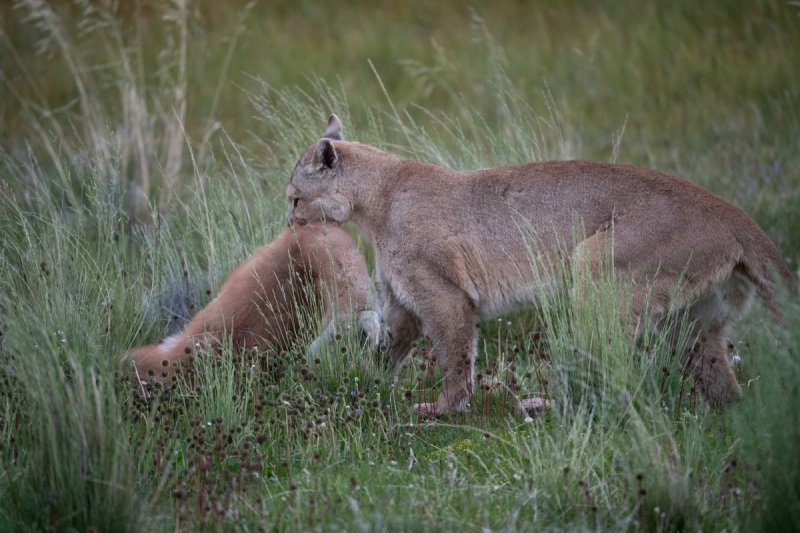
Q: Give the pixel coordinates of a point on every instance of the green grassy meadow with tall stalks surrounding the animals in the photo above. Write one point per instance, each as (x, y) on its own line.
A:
(145, 150)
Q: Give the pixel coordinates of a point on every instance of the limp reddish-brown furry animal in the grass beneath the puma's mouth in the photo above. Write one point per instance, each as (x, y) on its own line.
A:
(266, 299)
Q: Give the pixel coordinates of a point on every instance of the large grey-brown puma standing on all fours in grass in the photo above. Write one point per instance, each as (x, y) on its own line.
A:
(451, 246)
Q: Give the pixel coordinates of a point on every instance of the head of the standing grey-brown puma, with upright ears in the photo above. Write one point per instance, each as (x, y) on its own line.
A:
(314, 188)
